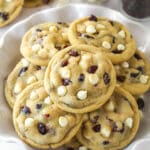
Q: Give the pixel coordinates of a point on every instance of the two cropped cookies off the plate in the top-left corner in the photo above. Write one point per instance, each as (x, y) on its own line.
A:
(10, 9)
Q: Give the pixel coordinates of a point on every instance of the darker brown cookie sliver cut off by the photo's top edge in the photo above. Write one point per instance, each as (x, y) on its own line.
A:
(34, 3)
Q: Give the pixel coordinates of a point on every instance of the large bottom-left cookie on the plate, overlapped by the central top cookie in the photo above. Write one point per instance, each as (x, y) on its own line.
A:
(39, 122)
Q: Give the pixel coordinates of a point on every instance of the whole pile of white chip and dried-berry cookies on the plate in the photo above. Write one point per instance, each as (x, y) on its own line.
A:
(78, 85)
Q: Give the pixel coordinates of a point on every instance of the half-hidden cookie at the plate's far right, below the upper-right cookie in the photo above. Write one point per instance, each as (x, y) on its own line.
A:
(134, 74)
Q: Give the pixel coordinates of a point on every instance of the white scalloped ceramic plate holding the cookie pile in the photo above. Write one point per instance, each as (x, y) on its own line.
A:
(9, 55)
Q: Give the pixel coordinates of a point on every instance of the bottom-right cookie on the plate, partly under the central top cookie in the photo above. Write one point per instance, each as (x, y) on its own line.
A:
(114, 125)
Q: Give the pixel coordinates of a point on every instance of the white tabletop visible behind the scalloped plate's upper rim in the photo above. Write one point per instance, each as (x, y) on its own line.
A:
(114, 4)
